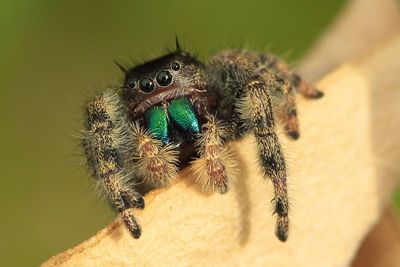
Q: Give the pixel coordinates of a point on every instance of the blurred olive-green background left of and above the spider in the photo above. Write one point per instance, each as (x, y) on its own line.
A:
(54, 54)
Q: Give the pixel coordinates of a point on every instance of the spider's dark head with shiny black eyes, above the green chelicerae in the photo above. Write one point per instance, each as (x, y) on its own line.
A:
(163, 79)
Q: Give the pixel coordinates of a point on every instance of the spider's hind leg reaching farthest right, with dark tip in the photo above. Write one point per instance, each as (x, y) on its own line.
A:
(281, 69)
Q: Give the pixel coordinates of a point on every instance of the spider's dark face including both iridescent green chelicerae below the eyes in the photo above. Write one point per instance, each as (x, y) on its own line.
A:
(168, 95)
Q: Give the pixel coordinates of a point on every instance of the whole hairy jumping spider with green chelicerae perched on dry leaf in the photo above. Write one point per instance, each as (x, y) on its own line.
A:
(136, 133)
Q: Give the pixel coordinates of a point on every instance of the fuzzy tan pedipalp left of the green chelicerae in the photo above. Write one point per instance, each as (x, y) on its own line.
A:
(155, 163)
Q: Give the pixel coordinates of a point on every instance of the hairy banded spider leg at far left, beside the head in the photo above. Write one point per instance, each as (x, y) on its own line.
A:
(104, 143)
